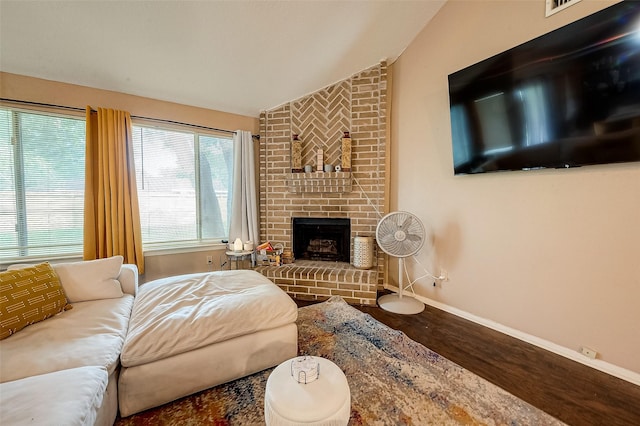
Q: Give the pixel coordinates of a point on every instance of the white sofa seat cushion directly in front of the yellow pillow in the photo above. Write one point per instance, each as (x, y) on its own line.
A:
(92, 333)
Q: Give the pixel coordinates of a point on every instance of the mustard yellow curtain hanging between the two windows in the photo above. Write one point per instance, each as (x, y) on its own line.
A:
(111, 212)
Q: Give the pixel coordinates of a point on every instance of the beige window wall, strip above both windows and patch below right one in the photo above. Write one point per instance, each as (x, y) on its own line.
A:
(24, 88)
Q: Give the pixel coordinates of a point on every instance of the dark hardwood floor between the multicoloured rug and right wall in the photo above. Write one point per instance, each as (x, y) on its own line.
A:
(574, 393)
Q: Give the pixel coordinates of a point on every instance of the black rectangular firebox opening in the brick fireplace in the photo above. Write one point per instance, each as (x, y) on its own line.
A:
(325, 239)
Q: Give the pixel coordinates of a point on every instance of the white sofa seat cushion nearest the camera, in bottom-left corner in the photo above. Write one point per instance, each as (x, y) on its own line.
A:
(67, 397)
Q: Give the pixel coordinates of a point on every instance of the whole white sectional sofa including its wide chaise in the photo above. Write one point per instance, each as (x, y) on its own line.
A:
(179, 335)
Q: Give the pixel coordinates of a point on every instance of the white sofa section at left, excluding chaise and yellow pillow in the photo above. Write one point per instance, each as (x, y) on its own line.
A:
(64, 369)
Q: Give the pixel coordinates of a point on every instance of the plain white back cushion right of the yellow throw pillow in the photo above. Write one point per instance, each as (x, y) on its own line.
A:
(91, 279)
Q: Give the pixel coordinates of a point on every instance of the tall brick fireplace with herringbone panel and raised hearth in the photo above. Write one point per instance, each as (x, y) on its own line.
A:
(357, 105)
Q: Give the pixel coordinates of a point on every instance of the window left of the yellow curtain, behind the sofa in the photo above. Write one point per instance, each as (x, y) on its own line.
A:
(41, 184)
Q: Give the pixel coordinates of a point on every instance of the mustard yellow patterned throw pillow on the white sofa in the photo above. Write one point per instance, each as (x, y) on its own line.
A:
(29, 295)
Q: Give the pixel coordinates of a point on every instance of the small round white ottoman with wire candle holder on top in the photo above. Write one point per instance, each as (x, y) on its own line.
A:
(325, 401)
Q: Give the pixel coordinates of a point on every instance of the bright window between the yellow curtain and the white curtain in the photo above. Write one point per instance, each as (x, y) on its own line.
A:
(177, 204)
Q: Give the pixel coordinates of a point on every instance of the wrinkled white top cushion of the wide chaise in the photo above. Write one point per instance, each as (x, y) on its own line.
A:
(177, 314)
